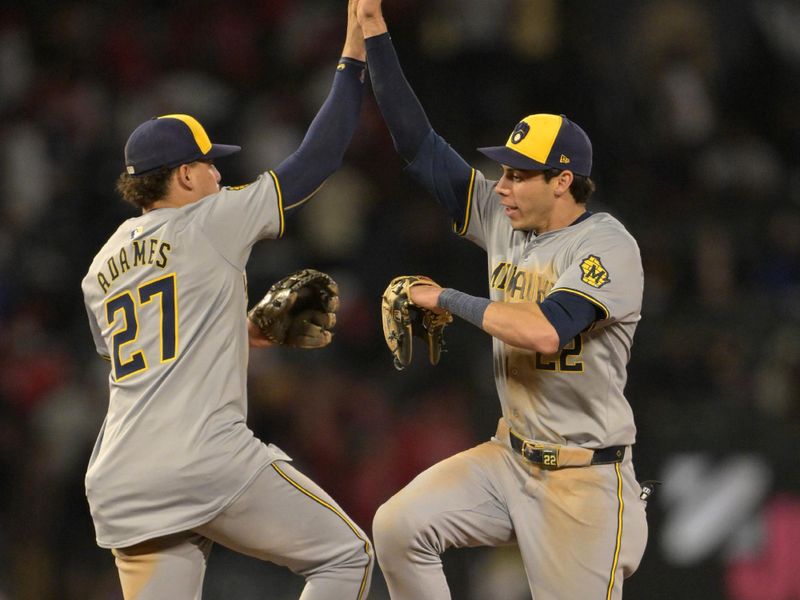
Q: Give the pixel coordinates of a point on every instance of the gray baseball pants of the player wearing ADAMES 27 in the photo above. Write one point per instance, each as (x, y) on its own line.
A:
(282, 517)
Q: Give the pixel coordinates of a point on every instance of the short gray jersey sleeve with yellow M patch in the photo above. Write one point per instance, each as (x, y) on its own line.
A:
(605, 267)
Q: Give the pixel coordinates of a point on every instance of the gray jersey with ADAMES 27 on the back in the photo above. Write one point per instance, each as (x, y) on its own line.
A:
(166, 297)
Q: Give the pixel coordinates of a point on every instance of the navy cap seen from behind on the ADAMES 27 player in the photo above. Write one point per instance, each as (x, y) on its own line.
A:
(169, 141)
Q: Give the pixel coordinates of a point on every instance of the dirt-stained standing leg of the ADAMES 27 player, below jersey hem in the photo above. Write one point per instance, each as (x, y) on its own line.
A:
(172, 566)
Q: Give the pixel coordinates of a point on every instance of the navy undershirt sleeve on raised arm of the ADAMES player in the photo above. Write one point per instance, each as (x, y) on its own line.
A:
(323, 147)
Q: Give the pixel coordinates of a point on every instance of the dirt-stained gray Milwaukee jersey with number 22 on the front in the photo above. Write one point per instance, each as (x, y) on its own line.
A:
(575, 396)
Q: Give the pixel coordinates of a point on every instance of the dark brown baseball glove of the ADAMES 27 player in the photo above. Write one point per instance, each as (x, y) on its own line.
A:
(299, 310)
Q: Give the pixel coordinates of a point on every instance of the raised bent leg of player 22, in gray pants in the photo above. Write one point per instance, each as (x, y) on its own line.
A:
(455, 503)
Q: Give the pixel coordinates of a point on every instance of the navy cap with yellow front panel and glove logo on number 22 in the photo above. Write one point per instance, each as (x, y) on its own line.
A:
(543, 141)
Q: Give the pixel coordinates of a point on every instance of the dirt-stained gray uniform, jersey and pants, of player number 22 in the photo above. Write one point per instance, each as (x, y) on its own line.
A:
(489, 495)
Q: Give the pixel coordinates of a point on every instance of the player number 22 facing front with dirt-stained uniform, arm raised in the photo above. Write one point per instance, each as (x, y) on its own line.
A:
(565, 292)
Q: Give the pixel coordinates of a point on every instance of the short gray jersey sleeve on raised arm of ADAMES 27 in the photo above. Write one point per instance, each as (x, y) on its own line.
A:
(237, 217)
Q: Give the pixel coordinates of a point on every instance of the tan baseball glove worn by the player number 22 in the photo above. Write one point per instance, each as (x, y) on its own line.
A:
(402, 319)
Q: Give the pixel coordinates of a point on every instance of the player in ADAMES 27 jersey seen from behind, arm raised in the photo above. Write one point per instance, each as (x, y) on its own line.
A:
(175, 467)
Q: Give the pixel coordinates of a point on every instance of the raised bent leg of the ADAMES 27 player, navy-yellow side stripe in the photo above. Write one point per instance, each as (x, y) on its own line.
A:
(286, 518)
